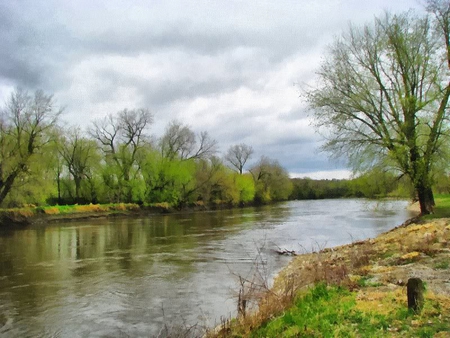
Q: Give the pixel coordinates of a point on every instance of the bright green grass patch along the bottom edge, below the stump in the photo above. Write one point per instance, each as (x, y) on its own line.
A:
(333, 312)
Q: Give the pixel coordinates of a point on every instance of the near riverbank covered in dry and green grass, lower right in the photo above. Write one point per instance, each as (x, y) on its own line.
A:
(358, 289)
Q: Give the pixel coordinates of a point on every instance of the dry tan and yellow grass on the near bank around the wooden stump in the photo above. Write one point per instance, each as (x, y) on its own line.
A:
(376, 269)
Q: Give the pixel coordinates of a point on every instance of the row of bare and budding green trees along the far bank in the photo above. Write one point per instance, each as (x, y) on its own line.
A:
(117, 160)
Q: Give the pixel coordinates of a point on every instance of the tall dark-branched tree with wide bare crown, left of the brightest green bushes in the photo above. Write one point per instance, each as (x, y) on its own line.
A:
(121, 137)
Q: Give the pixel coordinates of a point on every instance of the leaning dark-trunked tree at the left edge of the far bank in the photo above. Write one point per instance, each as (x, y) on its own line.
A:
(25, 123)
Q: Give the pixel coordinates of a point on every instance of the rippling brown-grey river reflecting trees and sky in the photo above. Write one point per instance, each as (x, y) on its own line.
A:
(132, 277)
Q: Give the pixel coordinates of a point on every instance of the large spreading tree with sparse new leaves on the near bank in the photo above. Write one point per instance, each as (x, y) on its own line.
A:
(384, 93)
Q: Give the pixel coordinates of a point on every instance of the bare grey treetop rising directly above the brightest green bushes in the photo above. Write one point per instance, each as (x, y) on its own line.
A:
(180, 141)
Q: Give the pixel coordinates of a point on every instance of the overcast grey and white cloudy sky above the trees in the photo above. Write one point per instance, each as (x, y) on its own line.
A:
(233, 68)
